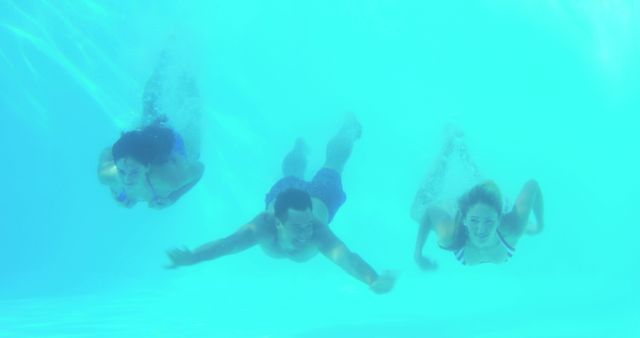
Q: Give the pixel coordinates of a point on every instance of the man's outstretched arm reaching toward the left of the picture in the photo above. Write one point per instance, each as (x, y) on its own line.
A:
(244, 238)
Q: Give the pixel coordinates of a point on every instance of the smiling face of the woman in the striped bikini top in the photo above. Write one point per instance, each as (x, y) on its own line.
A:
(482, 223)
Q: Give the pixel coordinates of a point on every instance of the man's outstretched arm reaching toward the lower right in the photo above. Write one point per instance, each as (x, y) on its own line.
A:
(334, 249)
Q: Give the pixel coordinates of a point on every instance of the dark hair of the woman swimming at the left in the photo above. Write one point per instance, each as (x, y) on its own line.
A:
(151, 145)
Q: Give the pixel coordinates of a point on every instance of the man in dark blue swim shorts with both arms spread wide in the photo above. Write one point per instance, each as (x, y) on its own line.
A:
(295, 222)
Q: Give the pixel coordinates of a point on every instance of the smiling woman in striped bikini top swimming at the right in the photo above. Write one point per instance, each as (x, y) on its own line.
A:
(477, 227)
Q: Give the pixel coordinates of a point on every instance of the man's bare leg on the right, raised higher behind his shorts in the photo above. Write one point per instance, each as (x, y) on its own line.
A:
(340, 146)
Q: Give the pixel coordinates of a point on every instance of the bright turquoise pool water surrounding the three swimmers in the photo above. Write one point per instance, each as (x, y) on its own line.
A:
(543, 89)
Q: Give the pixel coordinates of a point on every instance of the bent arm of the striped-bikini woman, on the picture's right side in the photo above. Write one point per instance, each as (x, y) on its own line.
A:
(530, 199)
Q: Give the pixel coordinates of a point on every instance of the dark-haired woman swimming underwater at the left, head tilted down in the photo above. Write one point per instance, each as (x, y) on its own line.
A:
(151, 164)
